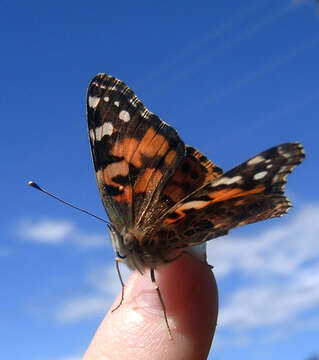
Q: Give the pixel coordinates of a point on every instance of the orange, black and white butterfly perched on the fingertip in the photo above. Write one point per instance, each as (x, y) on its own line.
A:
(161, 194)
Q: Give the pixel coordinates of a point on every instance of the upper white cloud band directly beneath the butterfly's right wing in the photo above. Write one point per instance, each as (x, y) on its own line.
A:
(278, 251)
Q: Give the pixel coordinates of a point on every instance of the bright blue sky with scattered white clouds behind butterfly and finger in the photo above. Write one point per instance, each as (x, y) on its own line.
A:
(234, 78)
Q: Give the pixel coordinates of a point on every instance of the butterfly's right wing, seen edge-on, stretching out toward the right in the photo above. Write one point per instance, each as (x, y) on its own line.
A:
(250, 192)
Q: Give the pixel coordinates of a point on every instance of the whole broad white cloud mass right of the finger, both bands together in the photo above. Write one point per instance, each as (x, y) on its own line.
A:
(282, 266)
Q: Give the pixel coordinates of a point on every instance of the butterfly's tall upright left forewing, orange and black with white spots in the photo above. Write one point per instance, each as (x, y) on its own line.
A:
(134, 151)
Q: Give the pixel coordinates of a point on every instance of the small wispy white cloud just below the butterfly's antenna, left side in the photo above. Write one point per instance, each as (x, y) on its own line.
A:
(49, 231)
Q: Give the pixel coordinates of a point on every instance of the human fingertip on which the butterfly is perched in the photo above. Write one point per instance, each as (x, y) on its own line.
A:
(137, 330)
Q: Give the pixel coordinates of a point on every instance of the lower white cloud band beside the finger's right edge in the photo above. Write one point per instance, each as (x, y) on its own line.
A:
(272, 304)
